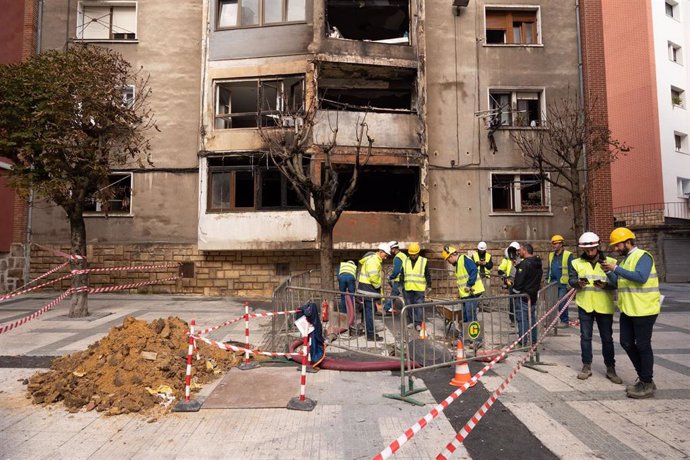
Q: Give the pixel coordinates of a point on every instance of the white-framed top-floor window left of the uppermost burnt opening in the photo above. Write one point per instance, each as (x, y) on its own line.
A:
(247, 13)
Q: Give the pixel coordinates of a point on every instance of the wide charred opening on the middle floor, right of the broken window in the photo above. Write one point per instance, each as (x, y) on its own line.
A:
(361, 88)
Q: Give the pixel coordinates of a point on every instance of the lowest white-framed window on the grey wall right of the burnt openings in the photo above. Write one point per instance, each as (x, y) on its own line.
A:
(518, 193)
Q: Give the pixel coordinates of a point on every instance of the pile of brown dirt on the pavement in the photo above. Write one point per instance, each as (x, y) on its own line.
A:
(137, 367)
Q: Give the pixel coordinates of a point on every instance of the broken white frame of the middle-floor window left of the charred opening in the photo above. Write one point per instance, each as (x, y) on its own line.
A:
(280, 102)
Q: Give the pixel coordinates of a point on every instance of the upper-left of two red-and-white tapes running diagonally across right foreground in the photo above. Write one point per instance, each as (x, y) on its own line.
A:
(424, 421)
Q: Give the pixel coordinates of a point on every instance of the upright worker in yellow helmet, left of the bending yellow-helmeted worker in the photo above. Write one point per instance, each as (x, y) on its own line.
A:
(416, 279)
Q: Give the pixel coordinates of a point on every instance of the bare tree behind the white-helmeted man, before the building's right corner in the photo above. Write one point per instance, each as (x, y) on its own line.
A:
(568, 143)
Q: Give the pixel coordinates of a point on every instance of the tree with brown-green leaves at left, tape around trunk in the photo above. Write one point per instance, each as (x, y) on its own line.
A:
(65, 121)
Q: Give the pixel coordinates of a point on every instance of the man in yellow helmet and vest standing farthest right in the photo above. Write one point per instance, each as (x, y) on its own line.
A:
(639, 301)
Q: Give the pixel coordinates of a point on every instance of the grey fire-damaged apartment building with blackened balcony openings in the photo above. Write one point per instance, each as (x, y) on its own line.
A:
(422, 75)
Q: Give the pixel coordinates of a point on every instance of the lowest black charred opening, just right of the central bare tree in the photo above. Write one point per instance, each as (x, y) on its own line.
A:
(382, 188)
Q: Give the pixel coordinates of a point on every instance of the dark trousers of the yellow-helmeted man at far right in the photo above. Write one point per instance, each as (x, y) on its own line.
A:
(636, 340)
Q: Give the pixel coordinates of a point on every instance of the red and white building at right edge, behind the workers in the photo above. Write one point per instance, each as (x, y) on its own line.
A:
(648, 82)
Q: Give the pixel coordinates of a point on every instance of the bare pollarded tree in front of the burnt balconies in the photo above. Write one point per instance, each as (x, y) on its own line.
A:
(312, 173)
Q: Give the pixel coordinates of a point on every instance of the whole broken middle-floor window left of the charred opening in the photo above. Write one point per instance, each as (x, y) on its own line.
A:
(246, 103)
